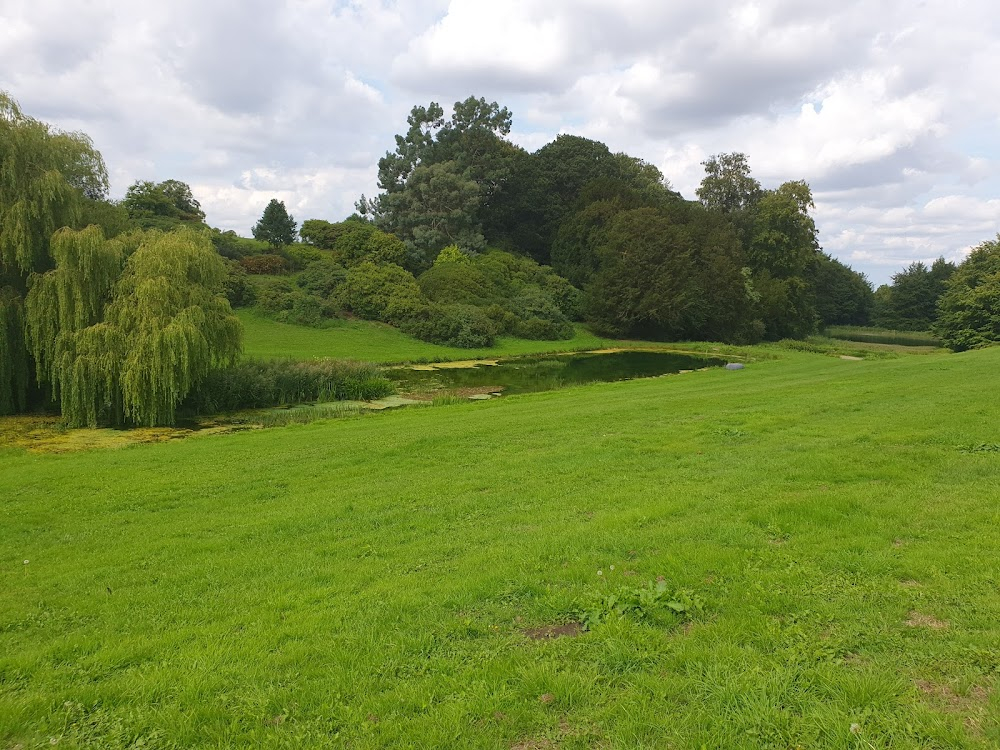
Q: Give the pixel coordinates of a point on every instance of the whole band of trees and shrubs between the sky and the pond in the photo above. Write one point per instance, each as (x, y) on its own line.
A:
(117, 311)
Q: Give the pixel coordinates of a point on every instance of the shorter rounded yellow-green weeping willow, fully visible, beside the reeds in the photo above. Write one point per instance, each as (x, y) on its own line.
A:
(124, 329)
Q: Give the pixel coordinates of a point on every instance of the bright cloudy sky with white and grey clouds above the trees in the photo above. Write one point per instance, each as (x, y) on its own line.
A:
(890, 110)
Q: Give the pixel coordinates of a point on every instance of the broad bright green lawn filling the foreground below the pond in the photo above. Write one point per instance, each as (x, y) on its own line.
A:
(363, 582)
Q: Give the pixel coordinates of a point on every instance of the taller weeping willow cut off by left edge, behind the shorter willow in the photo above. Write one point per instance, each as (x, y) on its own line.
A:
(44, 176)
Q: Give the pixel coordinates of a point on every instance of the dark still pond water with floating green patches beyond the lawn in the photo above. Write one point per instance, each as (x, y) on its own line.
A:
(544, 372)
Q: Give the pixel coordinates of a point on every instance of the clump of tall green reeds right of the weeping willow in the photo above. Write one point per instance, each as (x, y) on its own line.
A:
(255, 384)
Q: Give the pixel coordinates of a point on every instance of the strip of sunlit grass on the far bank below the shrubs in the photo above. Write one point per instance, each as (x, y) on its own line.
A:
(375, 342)
